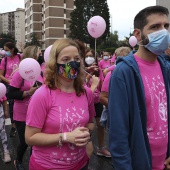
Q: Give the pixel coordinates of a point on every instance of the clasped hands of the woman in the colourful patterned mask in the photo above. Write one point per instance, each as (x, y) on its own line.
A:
(79, 136)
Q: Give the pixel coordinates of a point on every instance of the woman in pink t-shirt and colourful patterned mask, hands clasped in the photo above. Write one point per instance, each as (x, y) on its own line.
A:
(60, 113)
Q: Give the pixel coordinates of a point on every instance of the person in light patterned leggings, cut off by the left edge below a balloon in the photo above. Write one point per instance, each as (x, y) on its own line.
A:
(3, 136)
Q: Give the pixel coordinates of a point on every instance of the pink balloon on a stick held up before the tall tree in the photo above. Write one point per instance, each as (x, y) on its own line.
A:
(96, 26)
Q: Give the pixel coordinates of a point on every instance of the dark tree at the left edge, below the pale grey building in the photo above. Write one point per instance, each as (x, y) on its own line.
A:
(4, 38)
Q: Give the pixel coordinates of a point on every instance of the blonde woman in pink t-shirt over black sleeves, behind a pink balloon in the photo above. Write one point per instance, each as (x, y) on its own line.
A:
(21, 90)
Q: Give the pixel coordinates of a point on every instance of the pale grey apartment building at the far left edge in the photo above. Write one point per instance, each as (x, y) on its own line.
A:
(14, 23)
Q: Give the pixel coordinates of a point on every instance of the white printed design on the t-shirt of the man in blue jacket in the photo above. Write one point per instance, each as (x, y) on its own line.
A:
(158, 108)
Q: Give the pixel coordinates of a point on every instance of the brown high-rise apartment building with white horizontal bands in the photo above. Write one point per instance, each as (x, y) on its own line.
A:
(49, 19)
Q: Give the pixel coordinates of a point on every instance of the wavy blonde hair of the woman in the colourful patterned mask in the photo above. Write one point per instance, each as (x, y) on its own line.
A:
(51, 76)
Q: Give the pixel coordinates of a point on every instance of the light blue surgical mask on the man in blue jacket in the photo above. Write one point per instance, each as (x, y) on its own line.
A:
(158, 41)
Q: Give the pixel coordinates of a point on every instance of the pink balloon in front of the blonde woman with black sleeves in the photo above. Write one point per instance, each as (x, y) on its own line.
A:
(29, 69)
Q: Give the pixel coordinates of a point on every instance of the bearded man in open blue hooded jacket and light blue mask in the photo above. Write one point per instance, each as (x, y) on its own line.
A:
(139, 106)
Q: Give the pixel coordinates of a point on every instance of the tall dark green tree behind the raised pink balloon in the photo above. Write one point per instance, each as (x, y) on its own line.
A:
(85, 9)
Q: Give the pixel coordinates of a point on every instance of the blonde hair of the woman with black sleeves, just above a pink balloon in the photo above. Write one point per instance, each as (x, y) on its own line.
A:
(31, 52)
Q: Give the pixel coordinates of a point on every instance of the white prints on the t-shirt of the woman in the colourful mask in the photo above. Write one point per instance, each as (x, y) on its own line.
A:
(70, 118)
